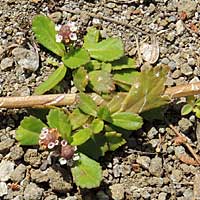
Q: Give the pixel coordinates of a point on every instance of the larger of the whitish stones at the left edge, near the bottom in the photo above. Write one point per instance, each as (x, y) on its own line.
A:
(6, 169)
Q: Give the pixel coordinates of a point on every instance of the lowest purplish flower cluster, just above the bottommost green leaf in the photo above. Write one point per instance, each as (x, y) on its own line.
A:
(68, 154)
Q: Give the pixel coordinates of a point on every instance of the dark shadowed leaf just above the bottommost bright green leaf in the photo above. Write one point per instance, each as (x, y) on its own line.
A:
(97, 143)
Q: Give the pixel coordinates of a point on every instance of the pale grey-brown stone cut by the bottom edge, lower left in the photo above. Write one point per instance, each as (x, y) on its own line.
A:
(33, 192)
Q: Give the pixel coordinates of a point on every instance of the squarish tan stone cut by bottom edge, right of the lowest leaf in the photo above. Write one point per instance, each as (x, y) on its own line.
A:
(117, 191)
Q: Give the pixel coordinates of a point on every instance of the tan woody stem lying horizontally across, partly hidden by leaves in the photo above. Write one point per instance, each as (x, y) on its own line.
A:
(43, 101)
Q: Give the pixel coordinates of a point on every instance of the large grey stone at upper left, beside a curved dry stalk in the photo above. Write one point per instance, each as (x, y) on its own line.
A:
(26, 59)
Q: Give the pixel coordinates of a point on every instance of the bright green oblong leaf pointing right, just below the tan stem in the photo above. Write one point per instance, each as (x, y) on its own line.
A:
(127, 120)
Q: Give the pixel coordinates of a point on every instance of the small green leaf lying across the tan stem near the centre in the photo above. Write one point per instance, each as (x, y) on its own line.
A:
(87, 105)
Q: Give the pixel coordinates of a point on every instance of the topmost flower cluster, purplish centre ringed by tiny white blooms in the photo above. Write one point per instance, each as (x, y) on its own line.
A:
(67, 32)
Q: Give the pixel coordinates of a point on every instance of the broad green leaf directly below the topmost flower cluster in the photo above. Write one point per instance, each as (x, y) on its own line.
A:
(76, 58)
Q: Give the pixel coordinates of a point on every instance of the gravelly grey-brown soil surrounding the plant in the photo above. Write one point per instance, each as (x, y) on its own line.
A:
(149, 166)
